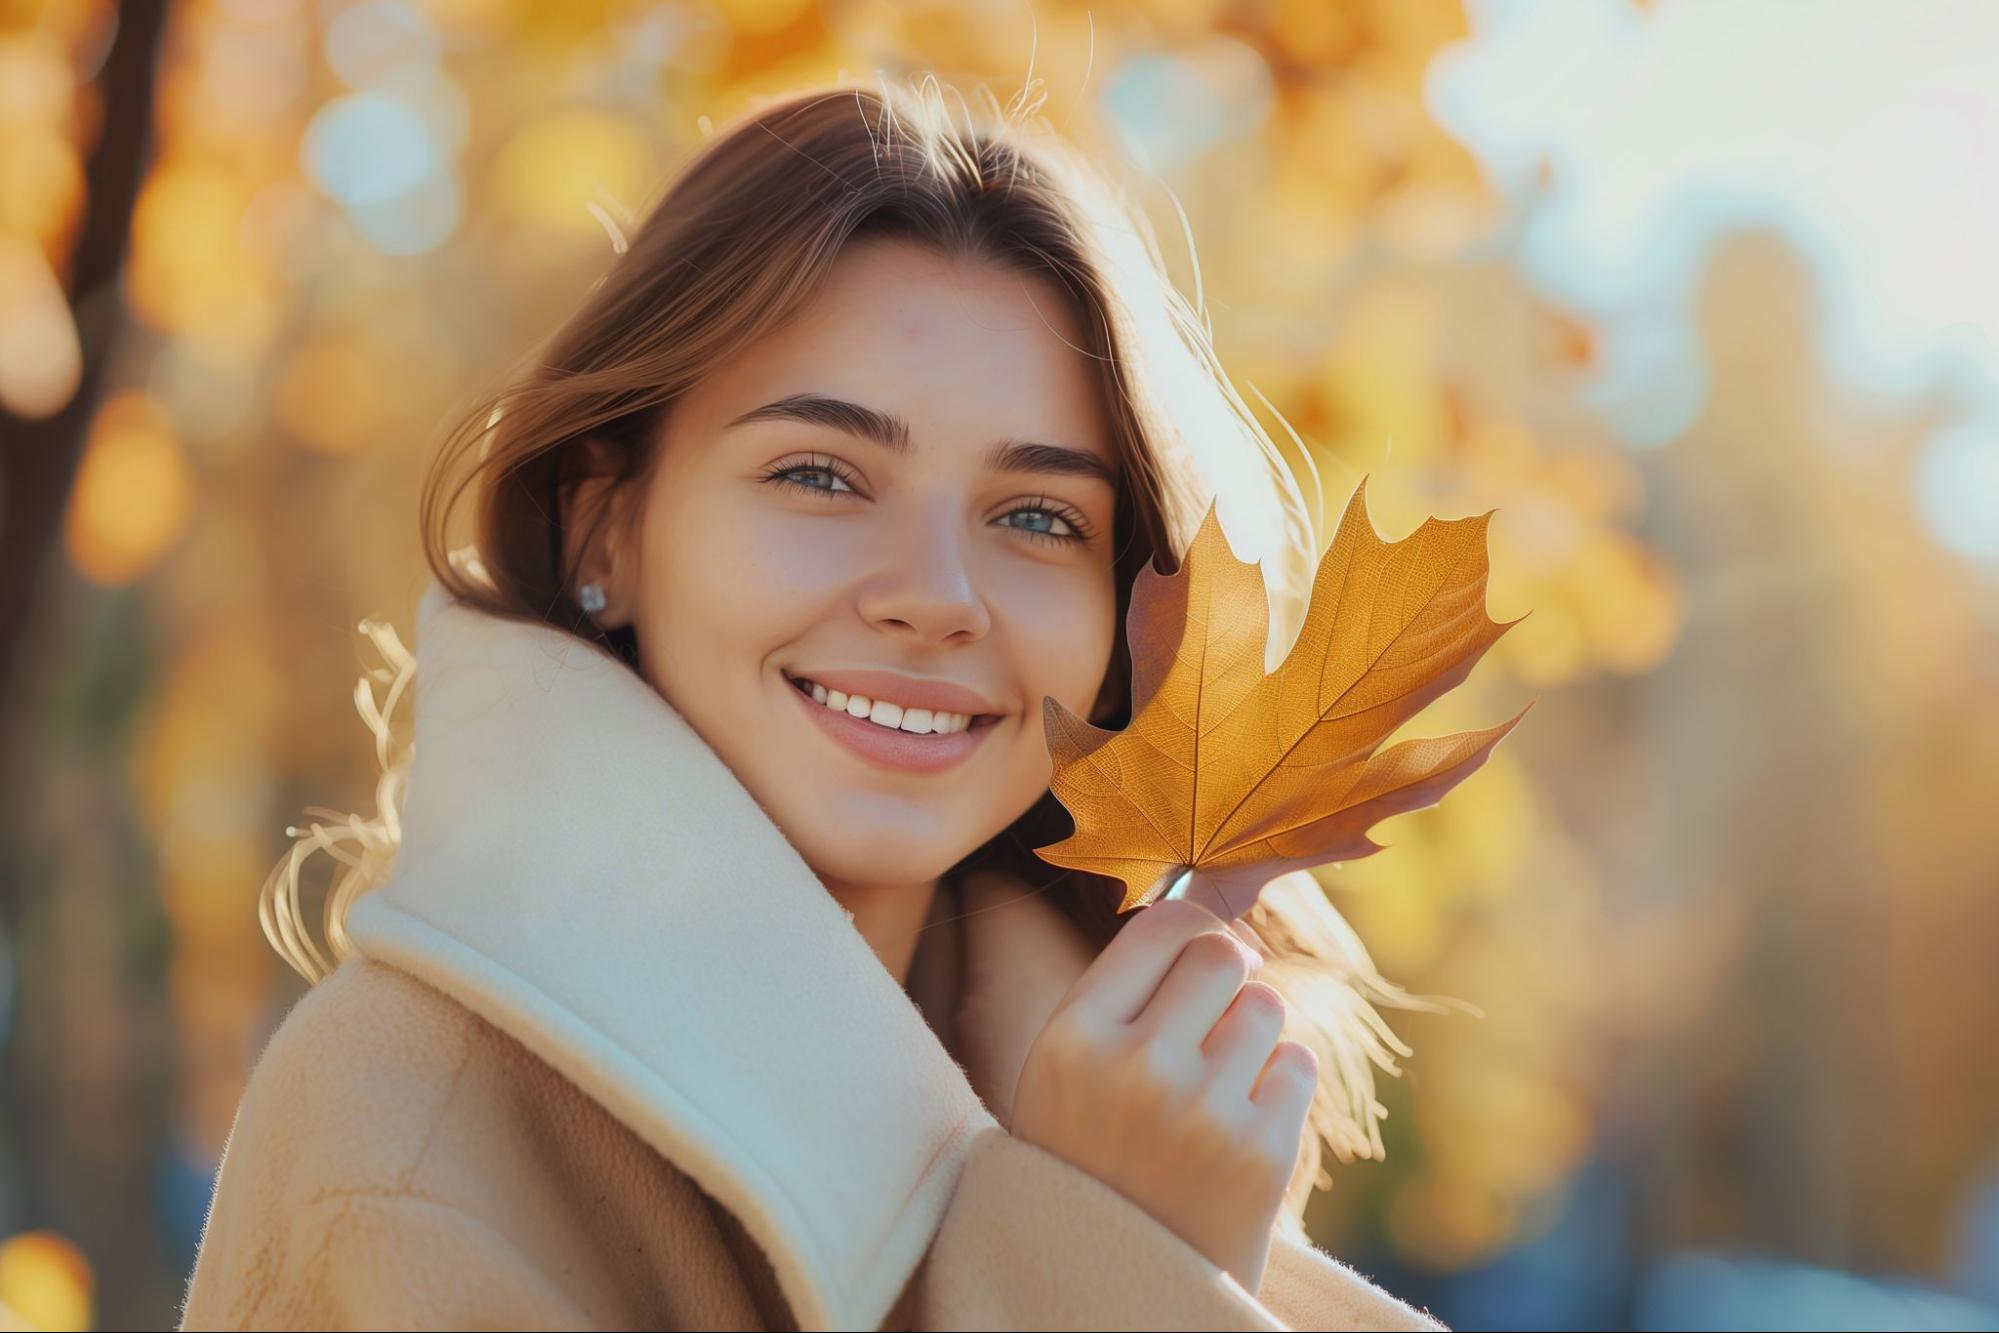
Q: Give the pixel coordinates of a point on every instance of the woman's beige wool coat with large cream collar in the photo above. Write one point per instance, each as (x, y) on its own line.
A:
(611, 1056)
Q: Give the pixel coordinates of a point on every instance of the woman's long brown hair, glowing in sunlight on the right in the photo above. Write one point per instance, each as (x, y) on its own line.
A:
(735, 247)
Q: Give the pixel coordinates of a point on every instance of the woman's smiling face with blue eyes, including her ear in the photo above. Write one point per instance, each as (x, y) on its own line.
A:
(951, 529)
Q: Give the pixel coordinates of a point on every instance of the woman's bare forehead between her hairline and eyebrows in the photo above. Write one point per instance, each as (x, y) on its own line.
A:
(965, 351)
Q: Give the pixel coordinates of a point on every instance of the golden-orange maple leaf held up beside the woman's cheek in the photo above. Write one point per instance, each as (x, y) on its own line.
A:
(1240, 776)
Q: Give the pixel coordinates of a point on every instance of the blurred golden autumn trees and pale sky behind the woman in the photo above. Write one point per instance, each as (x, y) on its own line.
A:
(1702, 299)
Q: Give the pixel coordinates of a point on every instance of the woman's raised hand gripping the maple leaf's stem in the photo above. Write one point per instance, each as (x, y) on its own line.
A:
(1162, 1074)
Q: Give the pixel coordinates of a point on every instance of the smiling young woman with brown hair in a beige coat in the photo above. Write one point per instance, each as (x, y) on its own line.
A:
(705, 972)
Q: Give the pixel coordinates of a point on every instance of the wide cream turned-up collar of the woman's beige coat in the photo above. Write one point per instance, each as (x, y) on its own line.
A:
(587, 874)
